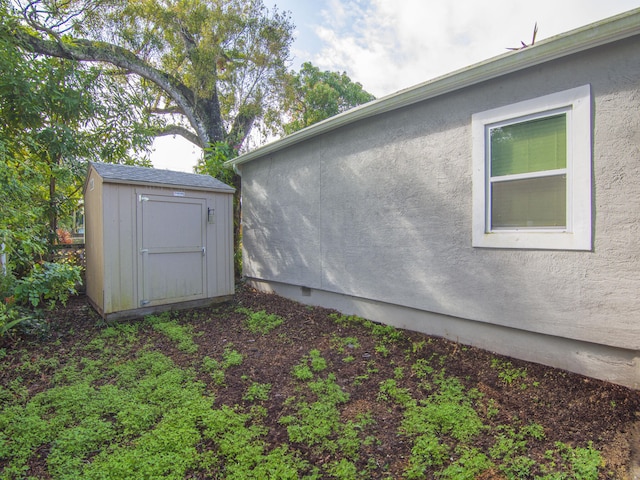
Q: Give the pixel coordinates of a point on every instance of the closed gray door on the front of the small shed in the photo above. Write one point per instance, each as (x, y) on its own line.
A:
(171, 245)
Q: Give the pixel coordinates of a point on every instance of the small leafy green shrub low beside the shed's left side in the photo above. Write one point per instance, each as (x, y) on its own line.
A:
(50, 283)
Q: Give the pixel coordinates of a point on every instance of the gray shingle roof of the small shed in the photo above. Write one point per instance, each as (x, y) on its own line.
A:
(126, 174)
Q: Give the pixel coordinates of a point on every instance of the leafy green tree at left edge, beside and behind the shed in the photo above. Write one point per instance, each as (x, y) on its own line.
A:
(55, 118)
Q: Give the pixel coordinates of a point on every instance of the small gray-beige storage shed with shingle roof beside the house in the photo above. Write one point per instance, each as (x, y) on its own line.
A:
(156, 240)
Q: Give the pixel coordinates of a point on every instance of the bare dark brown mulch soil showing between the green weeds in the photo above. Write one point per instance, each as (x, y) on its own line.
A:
(572, 409)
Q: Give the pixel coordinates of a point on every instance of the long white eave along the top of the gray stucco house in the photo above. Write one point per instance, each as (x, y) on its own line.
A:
(600, 33)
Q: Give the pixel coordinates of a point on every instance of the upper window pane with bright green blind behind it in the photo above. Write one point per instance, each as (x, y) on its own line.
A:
(531, 146)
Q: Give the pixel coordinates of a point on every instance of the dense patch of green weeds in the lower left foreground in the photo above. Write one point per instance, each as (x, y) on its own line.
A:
(79, 419)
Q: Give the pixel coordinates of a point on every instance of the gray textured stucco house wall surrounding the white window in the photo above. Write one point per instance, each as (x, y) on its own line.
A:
(382, 210)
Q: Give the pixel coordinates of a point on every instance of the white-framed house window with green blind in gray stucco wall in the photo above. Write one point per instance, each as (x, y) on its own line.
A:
(532, 173)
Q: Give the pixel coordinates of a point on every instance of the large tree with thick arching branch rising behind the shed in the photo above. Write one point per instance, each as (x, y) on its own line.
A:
(214, 66)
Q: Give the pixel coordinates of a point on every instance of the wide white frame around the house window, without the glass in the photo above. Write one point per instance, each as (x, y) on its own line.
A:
(576, 103)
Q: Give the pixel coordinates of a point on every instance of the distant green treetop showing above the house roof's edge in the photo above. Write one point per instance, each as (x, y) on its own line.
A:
(313, 96)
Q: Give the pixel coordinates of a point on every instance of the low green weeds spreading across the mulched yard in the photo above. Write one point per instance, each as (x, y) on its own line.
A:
(205, 394)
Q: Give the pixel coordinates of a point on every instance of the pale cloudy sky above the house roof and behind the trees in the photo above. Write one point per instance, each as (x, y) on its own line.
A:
(389, 45)
